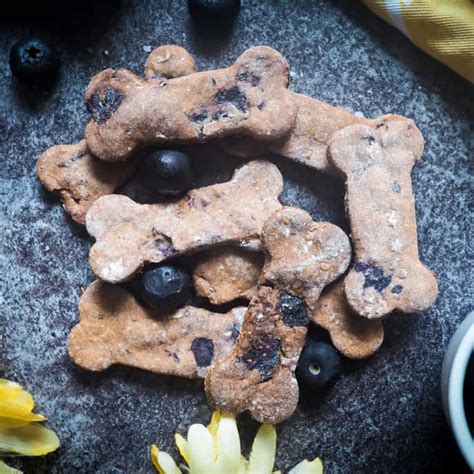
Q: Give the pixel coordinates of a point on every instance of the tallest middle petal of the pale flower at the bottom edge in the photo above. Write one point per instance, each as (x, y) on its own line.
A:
(228, 445)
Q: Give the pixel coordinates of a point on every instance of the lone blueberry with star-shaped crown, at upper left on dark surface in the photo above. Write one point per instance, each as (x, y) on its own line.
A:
(34, 62)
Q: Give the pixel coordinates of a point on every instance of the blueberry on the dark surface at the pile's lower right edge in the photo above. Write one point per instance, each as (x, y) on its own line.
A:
(319, 365)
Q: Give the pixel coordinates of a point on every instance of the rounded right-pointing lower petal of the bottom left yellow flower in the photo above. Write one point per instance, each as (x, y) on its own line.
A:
(29, 440)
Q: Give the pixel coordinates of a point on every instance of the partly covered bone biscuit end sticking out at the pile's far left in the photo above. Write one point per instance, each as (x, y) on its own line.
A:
(79, 178)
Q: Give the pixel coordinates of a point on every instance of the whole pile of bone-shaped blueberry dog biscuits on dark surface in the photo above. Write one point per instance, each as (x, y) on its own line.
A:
(291, 269)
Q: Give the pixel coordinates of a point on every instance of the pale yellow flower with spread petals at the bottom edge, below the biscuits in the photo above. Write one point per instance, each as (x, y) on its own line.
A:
(216, 450)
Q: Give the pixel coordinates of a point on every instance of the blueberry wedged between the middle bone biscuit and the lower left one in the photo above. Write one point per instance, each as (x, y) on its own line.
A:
(164, 287)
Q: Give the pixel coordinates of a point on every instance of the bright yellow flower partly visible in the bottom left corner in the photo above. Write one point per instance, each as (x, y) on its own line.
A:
(20, 432)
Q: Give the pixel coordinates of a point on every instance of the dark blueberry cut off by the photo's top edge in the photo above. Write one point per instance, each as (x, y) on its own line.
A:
(214, 13)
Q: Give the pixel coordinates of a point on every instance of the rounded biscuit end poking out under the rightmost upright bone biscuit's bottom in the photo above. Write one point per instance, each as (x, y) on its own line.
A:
(356, 337)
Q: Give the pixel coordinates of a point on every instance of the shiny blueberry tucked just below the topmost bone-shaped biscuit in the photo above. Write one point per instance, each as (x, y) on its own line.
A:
(171, 171)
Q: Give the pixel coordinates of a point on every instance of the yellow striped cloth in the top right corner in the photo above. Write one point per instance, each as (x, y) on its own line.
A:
(442, 28)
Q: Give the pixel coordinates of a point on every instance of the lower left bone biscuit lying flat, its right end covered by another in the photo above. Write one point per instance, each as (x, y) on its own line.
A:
(115, 329)
